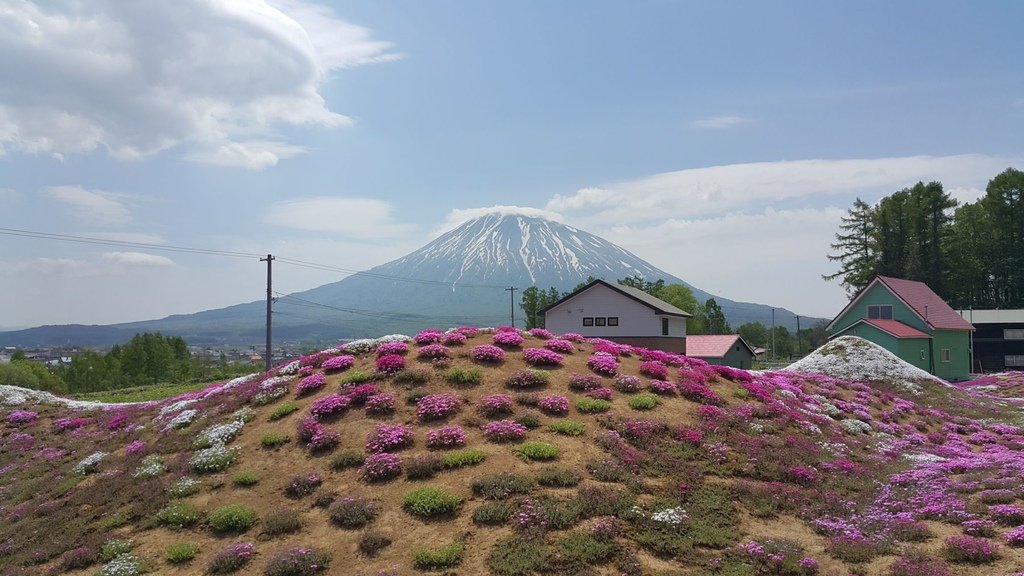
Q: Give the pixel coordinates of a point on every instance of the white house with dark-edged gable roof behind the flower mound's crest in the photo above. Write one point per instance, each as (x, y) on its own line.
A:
(623, 314)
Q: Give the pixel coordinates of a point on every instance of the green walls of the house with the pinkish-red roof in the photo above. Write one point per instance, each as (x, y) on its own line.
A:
(910, 350)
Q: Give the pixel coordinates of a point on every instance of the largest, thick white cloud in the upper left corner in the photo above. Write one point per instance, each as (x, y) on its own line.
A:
(136, 79)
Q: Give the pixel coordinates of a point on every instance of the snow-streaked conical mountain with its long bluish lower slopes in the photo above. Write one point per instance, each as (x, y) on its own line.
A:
(458, 279)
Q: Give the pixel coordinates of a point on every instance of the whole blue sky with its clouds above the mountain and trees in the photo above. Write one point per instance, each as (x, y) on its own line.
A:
(722, 142)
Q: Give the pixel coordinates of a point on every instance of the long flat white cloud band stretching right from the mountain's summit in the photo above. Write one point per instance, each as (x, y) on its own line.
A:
(751, 187)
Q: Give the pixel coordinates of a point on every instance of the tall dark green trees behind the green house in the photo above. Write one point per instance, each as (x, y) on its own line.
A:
(970, 255)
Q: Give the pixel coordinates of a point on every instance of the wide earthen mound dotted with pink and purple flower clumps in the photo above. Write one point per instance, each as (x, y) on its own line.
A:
(515, 454)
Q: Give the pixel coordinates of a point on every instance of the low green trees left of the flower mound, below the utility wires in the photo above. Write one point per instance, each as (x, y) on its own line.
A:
(148, 359)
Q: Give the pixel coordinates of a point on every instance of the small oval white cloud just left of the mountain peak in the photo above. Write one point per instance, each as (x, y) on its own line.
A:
(352, 218)
